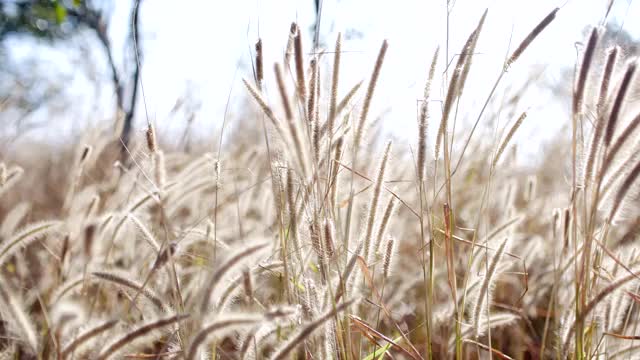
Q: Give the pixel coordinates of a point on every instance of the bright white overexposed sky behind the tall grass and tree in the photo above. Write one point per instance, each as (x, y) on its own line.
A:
(202, 49)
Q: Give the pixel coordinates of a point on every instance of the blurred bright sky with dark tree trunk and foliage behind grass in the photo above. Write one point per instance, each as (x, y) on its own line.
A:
(66, 65)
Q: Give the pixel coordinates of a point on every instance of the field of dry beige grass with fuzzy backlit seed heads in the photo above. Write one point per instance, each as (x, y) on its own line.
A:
(302, 239)
